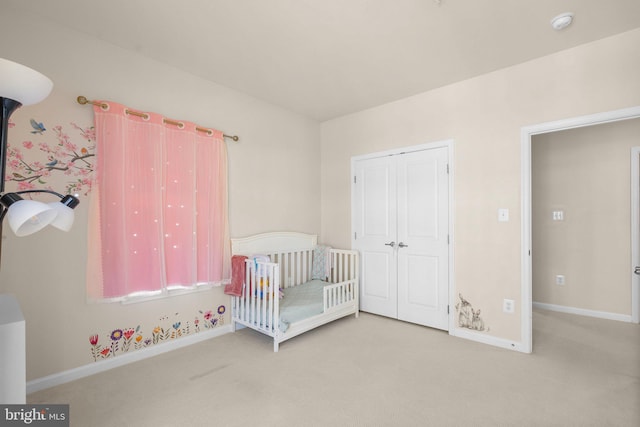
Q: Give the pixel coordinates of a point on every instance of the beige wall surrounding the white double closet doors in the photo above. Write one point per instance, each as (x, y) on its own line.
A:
(484, 117)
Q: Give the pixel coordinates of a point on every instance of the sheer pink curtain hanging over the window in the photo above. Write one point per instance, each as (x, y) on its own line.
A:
(158, 214)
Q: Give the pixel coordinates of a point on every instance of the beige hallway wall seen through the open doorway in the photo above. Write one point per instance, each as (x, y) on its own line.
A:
(585, 173)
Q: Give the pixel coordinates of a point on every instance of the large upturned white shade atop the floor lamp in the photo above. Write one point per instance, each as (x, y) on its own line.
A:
(23, 84)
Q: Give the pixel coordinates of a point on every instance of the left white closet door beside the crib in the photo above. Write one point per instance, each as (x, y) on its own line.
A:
(374, 210)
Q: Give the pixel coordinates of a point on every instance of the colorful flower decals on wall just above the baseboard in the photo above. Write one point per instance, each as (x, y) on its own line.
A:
(120, 340)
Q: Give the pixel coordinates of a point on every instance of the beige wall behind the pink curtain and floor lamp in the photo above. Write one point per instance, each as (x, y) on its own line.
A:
(274, 184)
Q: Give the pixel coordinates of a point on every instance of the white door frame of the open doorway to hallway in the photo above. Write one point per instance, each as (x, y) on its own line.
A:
(526, 133)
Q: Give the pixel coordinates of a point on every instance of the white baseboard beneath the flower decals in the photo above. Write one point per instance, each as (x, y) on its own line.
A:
(124, 359)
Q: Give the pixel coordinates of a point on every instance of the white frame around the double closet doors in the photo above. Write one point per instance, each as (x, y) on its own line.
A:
(447, 143)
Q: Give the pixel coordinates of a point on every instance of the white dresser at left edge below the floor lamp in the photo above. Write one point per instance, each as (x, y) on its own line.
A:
(13, 375)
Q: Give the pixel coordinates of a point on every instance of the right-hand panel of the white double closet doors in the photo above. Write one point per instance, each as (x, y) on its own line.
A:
(423, 226)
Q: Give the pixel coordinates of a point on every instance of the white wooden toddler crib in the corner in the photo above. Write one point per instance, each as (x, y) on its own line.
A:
(291, 256)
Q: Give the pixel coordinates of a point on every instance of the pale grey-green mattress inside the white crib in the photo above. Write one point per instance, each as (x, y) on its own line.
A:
(300, 302)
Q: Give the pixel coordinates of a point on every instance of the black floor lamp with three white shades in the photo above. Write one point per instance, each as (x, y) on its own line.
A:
(20, 85)
